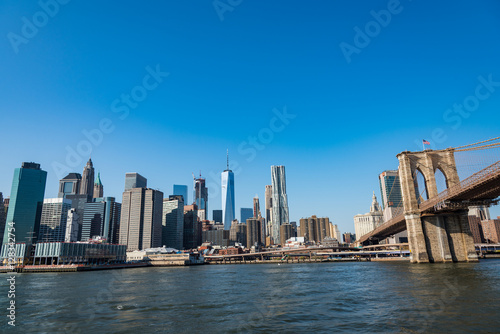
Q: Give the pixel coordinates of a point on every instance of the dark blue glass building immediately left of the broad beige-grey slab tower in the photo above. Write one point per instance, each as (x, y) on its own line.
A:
(101, 218)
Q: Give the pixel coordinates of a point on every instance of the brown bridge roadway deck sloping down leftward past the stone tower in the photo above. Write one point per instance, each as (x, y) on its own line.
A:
(479, 187)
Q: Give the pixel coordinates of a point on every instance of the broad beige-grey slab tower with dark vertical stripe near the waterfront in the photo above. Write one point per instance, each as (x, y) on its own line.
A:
(141, 219)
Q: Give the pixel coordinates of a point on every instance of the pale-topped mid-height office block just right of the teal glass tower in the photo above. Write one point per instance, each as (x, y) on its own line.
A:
(54, 219)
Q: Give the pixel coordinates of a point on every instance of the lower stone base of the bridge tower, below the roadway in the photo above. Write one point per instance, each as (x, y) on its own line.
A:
(443, 237)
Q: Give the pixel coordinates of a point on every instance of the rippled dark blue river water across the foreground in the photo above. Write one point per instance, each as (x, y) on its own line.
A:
(364, 297)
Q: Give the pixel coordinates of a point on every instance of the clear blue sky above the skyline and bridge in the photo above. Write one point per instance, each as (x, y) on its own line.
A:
(227, 81)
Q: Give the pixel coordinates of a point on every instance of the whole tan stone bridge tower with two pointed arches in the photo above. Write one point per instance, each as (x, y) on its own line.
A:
(439, 236)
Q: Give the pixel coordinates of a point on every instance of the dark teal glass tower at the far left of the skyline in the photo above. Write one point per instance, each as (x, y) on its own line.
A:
(26, 202)
